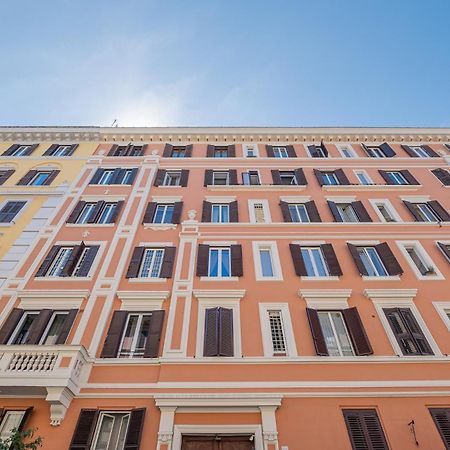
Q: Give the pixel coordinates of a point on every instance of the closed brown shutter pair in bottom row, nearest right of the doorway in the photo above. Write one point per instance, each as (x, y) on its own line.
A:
(364, 429)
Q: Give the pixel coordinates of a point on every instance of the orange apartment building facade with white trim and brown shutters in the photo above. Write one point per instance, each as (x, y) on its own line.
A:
(234, 289)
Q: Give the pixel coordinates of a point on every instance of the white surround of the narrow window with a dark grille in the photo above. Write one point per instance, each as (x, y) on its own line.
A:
(289, 339)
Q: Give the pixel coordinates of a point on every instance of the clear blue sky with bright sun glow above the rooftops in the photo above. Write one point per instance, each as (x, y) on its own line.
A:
(225, 62)
